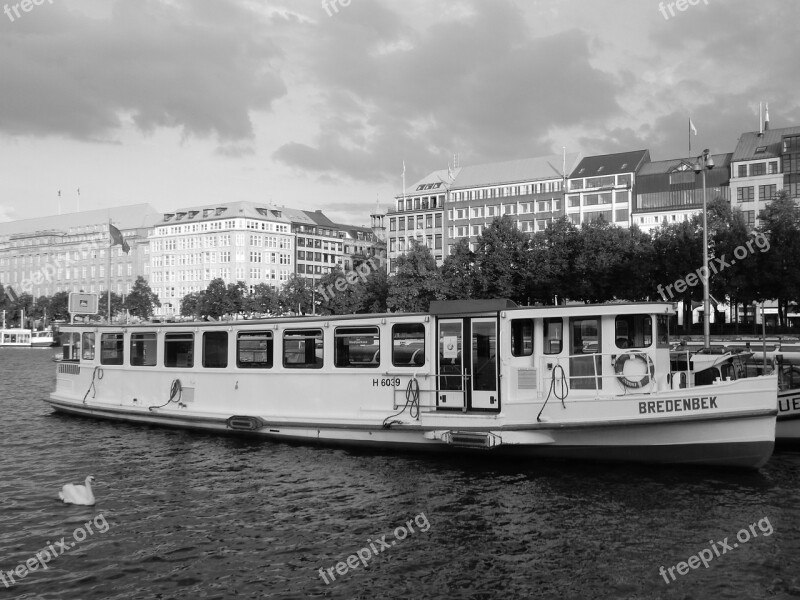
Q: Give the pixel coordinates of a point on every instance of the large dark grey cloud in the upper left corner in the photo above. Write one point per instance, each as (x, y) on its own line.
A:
(198, 66)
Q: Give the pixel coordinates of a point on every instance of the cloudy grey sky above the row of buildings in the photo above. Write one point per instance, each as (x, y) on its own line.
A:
(319, 104)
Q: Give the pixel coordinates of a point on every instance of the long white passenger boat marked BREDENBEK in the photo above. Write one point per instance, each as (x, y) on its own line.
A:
(582, 381)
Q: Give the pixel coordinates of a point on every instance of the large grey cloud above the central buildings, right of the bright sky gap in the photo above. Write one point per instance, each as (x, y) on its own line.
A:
(478, 83)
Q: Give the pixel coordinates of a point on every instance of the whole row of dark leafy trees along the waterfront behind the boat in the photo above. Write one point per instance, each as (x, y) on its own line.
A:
(596, 262)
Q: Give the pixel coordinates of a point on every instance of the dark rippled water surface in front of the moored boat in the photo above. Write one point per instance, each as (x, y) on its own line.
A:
(188, 515)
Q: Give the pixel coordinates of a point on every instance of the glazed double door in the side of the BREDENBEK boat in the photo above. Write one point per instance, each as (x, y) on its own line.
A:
(468, 378)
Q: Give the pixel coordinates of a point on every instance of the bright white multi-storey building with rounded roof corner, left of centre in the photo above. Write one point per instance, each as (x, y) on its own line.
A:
(238, 241)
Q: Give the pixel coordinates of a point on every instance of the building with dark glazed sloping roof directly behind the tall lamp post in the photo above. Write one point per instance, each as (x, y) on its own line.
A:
(669, 191)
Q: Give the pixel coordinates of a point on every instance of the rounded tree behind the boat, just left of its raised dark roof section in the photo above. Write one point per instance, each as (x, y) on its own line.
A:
(416, 282)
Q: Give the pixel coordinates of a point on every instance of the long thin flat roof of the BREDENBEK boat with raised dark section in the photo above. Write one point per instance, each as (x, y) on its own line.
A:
(439, 308)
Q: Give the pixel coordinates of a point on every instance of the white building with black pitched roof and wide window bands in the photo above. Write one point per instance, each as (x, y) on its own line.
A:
(604, 186)
